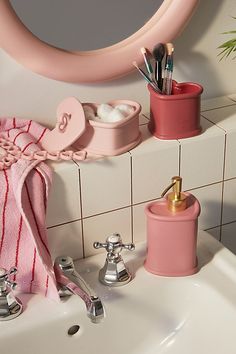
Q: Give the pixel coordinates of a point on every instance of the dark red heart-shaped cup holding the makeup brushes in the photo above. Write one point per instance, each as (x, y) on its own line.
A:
(176, 116)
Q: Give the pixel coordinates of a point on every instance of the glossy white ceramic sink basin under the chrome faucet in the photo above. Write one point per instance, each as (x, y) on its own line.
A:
(151, 314)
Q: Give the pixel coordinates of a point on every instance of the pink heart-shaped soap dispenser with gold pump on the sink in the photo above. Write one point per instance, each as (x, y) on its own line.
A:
(172, 226)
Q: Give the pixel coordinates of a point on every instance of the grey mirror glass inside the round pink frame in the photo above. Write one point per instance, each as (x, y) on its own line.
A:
(85, 24)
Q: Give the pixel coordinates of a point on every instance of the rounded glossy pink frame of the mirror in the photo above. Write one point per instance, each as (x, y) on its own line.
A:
(96, 65)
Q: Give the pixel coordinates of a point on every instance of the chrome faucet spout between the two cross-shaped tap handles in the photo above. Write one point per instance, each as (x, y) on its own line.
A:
(69, 279)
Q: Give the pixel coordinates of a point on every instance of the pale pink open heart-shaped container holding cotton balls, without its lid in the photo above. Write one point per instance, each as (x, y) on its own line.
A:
(111, 139)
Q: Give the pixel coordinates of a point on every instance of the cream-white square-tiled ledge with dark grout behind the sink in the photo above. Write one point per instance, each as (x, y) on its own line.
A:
(92, 199)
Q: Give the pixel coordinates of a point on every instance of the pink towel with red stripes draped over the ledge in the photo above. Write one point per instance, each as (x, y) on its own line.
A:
(23, 198)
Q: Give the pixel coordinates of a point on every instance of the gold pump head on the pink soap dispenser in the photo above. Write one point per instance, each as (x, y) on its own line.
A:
(177, 201)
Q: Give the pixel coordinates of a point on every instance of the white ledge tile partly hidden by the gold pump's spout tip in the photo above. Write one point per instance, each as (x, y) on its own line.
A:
(154, 162)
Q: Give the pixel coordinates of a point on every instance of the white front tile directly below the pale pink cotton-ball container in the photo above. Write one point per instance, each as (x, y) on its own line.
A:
(105, 184)
